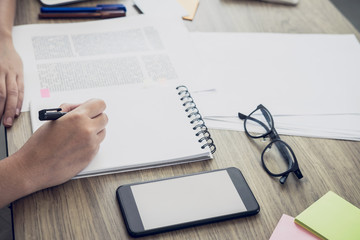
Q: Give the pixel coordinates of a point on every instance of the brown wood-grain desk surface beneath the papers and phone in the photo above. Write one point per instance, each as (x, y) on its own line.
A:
(87, 208)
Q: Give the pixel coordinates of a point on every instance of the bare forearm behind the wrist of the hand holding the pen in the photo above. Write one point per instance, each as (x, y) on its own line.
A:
(13, 183)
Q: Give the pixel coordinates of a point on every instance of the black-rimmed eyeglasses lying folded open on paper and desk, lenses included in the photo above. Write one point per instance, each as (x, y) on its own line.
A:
(278, 159)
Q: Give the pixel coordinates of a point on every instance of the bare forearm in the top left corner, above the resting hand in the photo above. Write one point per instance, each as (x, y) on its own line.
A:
(7, 16)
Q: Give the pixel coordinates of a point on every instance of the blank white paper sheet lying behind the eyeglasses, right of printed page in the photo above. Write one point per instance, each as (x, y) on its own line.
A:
(288, 73)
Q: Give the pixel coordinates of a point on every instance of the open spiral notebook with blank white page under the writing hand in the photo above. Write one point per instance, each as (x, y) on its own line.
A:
(149, 126)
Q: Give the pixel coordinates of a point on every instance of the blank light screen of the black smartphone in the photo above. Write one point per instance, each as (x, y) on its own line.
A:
(186, 199)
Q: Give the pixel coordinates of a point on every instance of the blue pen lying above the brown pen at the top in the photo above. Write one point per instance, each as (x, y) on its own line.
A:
(118, 7)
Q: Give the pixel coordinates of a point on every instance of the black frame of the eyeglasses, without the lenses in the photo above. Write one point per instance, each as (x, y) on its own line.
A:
(275, 139)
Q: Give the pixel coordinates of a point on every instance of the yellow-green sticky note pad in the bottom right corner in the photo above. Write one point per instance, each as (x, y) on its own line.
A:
(331, 217)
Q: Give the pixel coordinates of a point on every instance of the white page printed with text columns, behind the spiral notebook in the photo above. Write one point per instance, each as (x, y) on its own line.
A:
(72, 56)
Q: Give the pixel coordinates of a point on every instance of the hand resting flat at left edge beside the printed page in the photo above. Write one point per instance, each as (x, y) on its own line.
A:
(11, 82)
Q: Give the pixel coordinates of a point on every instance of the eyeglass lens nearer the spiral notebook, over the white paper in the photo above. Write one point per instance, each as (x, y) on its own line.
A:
(259, 123)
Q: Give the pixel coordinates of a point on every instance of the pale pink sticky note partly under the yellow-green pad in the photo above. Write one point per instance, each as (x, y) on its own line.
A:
(288, 229)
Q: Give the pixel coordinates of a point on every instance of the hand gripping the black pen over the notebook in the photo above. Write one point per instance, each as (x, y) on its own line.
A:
(60, 149)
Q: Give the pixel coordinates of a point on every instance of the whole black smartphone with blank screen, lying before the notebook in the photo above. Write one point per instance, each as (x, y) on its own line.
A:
(185, 201)
